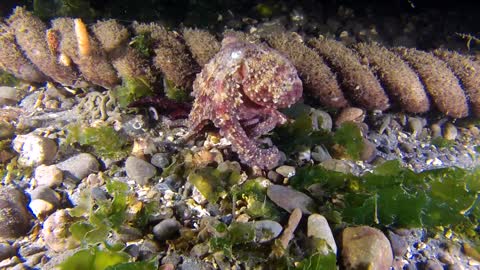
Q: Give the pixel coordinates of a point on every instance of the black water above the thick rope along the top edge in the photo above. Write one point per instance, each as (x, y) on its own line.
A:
(435, 22)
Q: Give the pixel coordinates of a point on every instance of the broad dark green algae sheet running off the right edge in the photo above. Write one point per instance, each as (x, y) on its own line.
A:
(391, 195)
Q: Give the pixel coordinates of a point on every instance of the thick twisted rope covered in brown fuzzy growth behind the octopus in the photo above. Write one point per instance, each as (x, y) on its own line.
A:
(365, 75)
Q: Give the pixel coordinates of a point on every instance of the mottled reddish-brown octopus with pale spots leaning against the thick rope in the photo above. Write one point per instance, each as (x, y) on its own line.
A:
(240, 90)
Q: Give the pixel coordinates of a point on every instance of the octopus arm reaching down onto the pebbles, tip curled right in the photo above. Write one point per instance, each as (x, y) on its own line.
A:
(248, 150)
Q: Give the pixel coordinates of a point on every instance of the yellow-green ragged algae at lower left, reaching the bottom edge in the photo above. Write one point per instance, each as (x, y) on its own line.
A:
(100, 218)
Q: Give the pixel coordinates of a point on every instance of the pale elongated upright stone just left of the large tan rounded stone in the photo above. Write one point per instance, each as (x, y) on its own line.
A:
(317, 227)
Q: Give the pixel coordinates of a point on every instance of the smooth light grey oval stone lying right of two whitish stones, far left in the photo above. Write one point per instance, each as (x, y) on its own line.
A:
(79, 166)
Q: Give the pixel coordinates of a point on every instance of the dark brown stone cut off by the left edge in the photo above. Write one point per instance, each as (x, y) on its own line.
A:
(14, 217)
